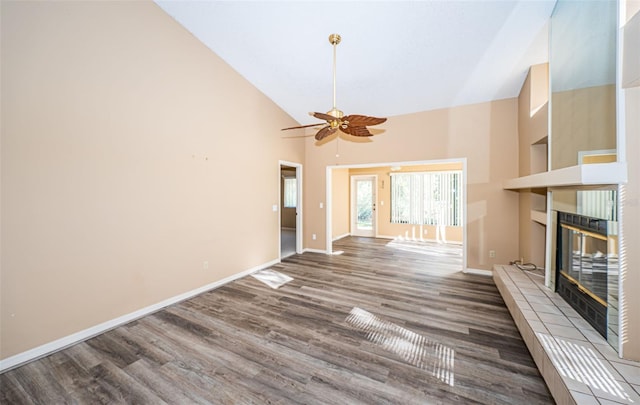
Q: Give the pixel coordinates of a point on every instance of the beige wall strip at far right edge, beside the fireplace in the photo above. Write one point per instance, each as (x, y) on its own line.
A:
(631, 213)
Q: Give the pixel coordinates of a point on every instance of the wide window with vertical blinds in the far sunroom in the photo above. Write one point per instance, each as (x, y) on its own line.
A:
(427, 198)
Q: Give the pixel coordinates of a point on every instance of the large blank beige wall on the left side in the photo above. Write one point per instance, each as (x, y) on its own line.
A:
(118, 132)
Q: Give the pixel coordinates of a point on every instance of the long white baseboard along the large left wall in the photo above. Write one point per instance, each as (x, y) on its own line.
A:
(62, 343)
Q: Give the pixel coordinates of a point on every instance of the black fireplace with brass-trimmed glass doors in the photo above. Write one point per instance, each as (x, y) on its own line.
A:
(585, 261)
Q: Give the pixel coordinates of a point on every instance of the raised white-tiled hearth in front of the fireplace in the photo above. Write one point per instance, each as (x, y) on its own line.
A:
(576, 362)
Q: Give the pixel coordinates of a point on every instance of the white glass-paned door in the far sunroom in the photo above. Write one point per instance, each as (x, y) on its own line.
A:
(363, 205)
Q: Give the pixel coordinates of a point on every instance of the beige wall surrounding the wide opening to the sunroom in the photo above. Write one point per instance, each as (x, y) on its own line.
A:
(485, 134)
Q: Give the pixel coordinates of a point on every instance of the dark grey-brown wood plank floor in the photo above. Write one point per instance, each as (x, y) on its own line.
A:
(382, 323)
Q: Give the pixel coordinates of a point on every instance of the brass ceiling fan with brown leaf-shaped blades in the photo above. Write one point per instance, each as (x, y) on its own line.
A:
(353, 124)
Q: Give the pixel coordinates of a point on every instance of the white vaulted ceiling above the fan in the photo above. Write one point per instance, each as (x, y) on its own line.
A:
(396, 57)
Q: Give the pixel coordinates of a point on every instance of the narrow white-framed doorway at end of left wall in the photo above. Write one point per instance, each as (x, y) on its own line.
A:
(290, 209)
